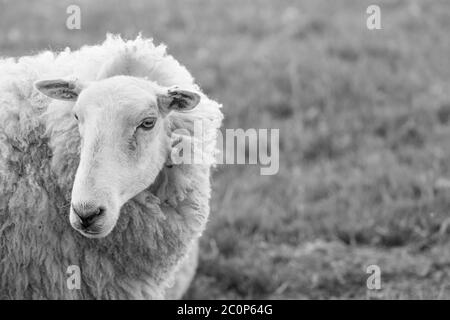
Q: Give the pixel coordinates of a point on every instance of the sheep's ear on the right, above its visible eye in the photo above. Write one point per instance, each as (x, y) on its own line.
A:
(177, 99)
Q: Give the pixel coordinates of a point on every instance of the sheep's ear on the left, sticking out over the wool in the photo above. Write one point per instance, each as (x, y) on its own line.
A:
(60, 89)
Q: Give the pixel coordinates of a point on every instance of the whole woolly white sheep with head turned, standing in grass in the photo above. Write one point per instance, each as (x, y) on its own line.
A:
(101, 192)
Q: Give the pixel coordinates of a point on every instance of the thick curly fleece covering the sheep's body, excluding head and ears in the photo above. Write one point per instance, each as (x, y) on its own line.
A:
(147, 251)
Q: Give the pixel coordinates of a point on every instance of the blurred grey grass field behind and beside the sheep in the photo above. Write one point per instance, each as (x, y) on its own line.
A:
(363, 116)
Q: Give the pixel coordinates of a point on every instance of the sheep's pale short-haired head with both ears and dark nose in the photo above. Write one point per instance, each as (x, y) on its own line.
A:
(124, 143)
